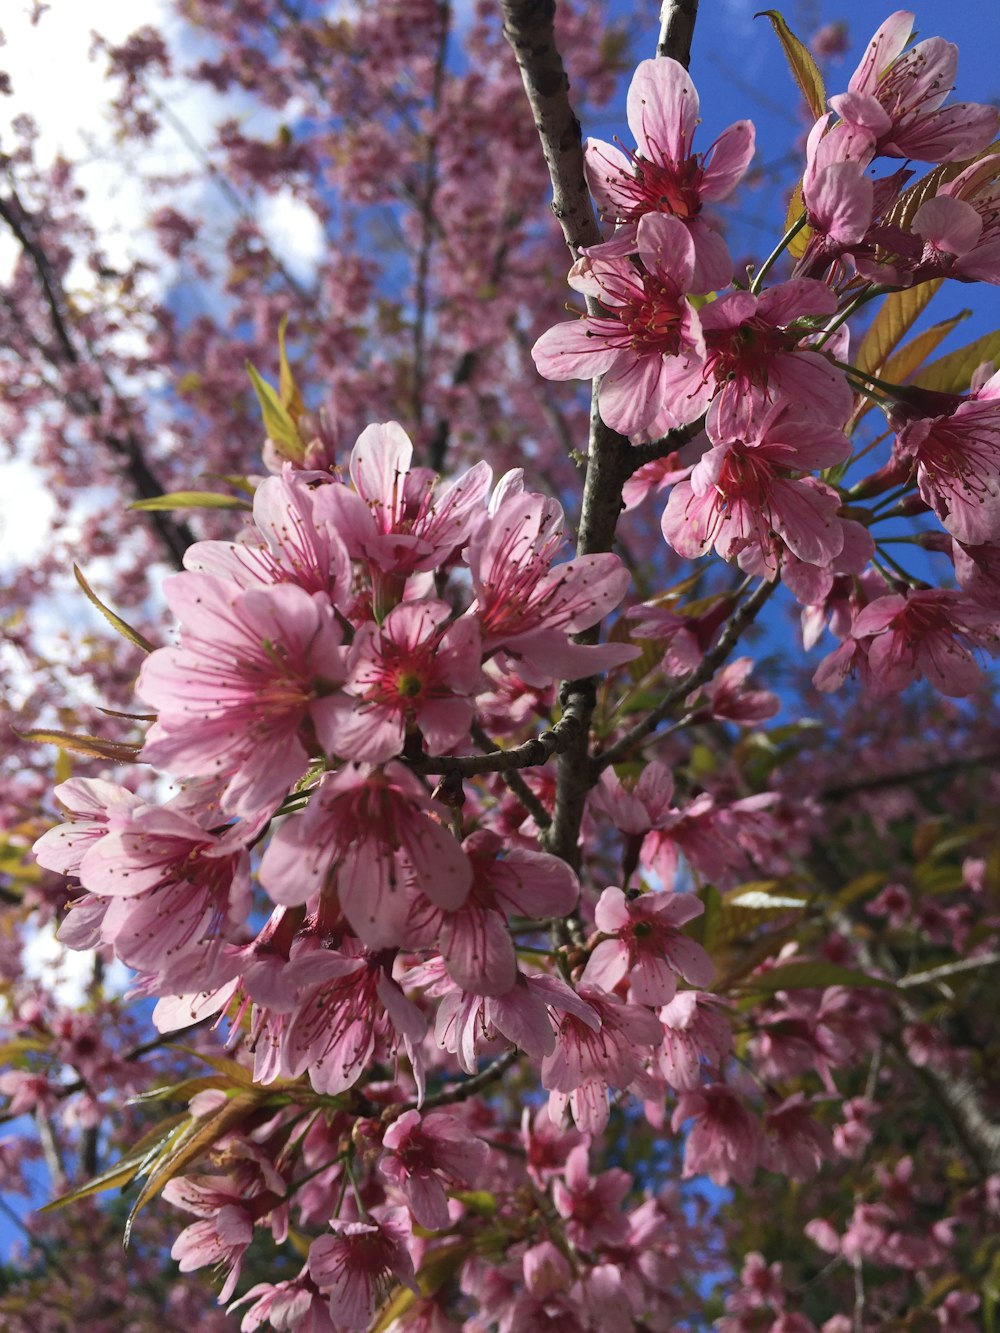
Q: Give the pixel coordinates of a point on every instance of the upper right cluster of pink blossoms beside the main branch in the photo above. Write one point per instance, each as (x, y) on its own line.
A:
(755, 378)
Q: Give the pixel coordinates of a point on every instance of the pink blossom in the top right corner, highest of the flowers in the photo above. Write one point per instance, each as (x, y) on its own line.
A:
(897, 97)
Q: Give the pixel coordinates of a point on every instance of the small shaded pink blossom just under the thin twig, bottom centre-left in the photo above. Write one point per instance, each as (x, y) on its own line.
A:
(423, 1154)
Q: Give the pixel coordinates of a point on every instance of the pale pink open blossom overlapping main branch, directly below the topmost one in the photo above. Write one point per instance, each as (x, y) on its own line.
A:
(650, 349)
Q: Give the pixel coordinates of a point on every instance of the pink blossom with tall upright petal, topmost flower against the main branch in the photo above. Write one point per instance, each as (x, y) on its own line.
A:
(663, 175)
